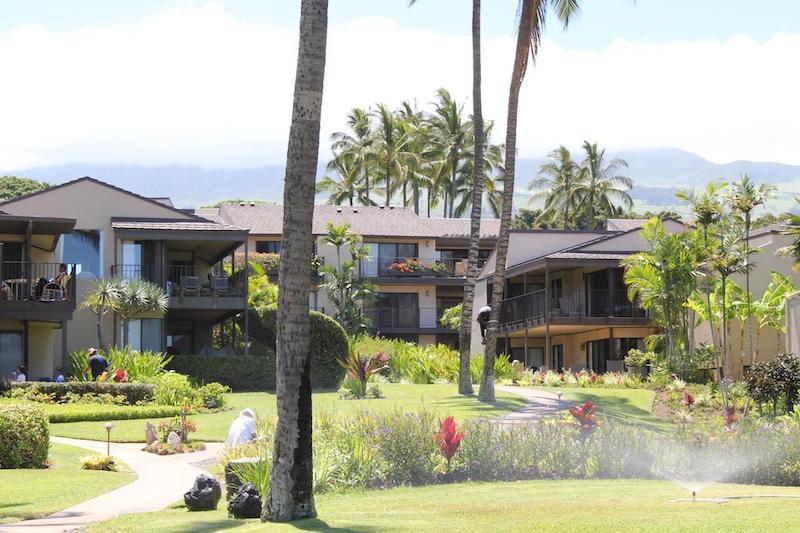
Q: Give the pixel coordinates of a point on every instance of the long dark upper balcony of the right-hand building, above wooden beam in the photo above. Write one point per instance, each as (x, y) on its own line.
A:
(571, 306)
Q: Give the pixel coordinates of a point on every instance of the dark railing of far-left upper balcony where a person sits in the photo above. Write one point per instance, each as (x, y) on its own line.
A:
(37, 282)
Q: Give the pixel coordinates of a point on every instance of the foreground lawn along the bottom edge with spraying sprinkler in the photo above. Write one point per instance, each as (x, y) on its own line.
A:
(597, 505)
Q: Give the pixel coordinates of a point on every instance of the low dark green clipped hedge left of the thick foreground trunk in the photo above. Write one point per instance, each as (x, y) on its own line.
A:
(252, 373)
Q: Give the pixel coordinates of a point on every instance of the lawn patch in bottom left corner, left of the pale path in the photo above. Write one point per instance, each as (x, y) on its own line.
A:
(27, 494)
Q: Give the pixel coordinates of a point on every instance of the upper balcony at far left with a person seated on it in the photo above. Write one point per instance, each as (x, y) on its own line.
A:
(33, 291)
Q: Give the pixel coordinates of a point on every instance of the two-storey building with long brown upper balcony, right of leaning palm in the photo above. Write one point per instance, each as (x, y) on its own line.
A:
(565, 303)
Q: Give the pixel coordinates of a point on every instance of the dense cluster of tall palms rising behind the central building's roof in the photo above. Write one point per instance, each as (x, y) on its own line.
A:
(415, 155)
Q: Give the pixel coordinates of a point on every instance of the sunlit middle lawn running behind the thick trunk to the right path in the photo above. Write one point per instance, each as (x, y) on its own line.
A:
(441, 399)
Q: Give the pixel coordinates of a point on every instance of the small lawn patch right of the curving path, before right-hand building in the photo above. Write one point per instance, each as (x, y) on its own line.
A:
(620, 405)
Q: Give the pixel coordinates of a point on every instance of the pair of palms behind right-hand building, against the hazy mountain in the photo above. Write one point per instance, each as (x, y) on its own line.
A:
(581, 195)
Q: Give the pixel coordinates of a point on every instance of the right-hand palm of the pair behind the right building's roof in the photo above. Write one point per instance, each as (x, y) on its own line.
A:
(601, 189)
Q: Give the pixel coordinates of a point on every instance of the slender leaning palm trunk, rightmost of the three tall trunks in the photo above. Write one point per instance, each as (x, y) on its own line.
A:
(486, 392)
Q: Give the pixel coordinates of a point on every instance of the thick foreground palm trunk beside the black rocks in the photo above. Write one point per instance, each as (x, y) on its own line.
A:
(292, 478)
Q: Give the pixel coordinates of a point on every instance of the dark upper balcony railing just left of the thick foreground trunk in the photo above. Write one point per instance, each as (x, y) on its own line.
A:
(185, 280)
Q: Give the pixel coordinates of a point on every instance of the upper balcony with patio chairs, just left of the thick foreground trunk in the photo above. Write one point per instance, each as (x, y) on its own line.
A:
(188, 288)
